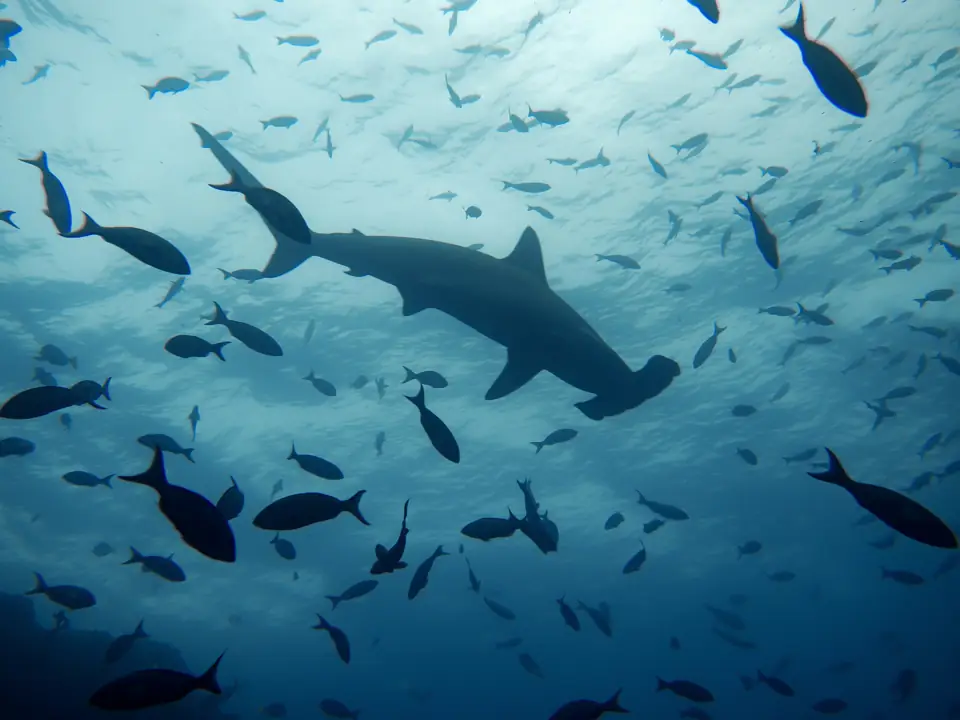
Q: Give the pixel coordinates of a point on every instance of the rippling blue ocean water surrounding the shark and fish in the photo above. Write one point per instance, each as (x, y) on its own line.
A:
(384, 122)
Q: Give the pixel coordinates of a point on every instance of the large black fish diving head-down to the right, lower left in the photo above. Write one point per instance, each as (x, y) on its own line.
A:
(197, 520)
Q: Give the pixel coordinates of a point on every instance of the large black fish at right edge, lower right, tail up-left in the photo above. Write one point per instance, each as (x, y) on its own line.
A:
(899, 512)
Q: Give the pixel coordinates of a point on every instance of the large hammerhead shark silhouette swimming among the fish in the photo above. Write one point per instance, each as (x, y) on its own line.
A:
(508, 300)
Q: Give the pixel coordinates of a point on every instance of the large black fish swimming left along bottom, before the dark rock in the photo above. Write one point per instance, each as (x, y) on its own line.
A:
(156, 686)
